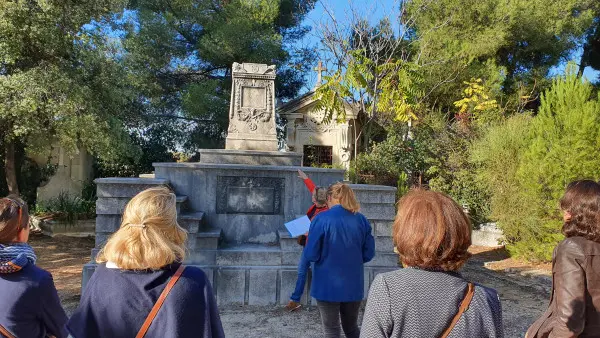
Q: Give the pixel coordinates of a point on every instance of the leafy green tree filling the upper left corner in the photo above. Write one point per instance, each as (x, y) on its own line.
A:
(57, 82)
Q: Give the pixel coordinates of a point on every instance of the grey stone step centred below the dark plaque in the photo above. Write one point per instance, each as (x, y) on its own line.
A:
(249, 254)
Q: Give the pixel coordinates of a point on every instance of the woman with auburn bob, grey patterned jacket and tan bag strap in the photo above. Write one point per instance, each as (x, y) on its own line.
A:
(429, 298)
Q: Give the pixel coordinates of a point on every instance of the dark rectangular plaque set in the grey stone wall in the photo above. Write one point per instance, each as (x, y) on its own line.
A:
(249, 195)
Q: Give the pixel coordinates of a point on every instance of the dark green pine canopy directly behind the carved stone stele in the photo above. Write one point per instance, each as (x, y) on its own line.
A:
(180, 55)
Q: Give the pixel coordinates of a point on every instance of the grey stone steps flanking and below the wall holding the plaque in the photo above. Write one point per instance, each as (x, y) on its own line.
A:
(245, 274)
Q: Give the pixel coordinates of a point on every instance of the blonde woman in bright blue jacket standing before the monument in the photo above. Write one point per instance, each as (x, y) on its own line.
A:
(340, 242)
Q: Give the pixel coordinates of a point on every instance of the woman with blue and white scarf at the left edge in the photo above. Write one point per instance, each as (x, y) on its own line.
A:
(29, 304)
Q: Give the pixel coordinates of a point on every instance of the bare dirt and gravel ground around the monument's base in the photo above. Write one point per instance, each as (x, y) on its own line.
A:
(522, 299)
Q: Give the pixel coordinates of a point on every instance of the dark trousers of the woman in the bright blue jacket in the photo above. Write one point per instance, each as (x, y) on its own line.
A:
(332, 312)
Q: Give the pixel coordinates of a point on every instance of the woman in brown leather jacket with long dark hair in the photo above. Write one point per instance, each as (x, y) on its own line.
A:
(574, 309)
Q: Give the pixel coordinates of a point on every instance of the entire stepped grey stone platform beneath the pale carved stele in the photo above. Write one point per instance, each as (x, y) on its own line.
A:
(234, 214)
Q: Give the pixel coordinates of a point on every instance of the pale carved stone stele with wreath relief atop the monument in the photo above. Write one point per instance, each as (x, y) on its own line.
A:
(252, 108)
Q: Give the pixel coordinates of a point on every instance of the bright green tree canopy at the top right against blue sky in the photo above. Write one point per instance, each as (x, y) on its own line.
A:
(521, 40)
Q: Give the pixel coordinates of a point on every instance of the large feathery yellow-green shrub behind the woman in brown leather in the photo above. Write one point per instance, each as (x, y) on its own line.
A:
(526, 163)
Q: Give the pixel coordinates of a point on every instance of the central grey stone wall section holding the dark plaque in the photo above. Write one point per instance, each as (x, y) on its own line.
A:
(213, 189)
